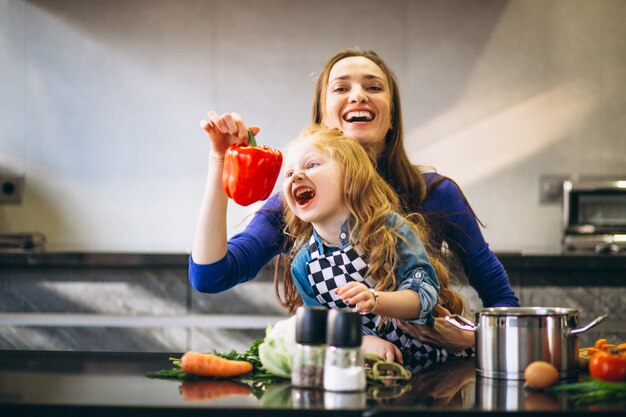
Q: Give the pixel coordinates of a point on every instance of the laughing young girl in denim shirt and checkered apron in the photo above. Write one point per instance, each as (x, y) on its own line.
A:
(352, 248)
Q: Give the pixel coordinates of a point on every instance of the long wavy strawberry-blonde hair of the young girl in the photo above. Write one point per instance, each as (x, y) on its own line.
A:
(370, 201)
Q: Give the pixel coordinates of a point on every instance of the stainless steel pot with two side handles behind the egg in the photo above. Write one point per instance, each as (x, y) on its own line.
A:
(510, 338)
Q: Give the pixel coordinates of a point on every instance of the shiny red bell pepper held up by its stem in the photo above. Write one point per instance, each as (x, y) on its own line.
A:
(250, 171)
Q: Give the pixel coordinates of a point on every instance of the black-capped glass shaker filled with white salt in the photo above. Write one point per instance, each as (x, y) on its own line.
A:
(344, 367)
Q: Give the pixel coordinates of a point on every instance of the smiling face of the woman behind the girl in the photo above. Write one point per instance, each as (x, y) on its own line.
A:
(357, 100)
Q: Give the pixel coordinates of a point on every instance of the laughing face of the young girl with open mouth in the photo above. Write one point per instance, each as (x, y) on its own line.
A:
(313, 186)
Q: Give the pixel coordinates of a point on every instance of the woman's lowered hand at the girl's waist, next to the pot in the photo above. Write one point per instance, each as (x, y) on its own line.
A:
(442, 334)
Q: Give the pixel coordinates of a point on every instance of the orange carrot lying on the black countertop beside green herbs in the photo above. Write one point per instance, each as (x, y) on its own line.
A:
(206, 364)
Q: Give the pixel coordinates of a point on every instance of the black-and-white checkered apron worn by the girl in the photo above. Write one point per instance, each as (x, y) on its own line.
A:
(327, 272)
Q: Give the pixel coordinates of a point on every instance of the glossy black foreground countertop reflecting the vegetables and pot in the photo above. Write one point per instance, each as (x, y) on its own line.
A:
(103, 383)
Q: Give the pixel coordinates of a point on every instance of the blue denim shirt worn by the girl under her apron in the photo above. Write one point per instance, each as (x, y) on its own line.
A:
(413, 271)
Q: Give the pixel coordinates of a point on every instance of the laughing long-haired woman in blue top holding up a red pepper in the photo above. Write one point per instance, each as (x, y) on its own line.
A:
(357, 93)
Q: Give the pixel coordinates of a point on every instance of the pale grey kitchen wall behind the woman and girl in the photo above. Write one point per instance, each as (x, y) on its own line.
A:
(100, 103)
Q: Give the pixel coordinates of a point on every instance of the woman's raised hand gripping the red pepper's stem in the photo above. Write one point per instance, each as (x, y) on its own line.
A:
(224, 130)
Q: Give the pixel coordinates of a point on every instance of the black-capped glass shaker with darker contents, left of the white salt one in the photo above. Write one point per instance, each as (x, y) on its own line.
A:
(308, 359)
